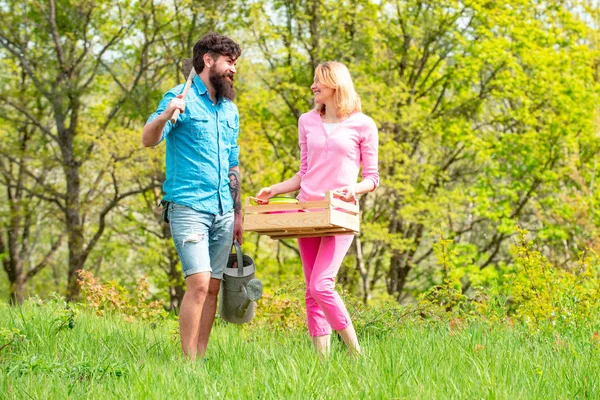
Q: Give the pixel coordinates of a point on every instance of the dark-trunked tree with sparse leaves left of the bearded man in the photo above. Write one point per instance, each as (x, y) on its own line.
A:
(68, 51)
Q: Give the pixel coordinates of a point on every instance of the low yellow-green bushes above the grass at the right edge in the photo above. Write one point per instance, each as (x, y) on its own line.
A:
(532, 291)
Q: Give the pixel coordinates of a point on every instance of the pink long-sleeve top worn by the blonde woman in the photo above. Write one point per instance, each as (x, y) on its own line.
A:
(331, 161)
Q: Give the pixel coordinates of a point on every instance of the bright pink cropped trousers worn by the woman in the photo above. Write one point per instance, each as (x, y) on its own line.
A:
(321, 260)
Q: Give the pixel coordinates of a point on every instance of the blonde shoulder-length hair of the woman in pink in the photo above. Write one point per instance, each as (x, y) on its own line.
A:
(335, 75)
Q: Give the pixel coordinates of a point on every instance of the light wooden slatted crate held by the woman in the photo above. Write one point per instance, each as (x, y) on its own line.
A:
(328, 217)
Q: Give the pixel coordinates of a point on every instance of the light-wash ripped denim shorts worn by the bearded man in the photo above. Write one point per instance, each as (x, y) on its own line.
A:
(203, 241)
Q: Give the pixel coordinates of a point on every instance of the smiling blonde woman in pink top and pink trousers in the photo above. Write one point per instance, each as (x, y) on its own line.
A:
(335, 139)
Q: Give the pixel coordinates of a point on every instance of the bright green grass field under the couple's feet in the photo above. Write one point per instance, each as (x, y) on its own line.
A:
(106, 357)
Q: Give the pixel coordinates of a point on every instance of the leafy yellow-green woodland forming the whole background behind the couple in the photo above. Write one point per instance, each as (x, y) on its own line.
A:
(487, 113)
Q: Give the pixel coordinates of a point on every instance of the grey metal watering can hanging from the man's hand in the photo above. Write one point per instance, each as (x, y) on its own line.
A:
(239, 289)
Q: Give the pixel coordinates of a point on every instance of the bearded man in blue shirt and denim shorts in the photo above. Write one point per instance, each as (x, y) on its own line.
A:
(204, 208)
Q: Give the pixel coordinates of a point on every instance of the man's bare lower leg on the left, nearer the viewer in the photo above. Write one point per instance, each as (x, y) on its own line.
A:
(197, 288)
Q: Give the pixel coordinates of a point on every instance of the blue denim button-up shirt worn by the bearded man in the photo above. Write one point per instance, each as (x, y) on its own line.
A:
(201, 147)
